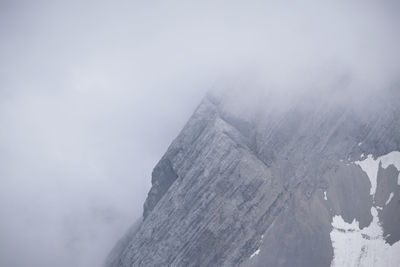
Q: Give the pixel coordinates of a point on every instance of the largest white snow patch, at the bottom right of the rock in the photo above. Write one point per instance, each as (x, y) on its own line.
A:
(365, 247)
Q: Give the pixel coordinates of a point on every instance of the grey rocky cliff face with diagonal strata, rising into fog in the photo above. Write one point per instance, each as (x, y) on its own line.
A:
(267, 188)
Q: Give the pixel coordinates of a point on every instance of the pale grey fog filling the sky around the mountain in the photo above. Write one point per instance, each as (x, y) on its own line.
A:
(92, 94)
